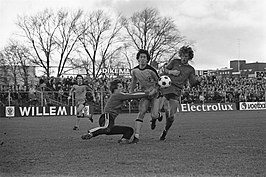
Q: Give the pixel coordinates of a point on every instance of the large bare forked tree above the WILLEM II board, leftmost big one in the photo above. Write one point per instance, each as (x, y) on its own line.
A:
(40, 31)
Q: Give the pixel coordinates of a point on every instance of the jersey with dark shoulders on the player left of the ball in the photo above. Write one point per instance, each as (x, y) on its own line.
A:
(147, 77)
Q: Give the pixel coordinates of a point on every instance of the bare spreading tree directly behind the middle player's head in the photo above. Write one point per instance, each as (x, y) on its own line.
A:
(159, 35)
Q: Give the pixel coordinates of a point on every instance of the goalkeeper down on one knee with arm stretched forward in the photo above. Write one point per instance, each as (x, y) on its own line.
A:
(111, 111)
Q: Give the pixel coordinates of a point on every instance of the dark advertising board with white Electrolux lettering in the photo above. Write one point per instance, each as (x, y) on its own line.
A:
(208, 107)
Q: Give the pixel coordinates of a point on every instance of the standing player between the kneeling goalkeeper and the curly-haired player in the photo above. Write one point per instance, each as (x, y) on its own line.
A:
(147, 77)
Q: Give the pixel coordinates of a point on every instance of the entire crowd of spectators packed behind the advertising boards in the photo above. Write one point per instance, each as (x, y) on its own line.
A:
(211, 89)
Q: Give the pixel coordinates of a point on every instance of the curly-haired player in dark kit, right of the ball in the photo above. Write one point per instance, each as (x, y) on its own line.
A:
(180, 73)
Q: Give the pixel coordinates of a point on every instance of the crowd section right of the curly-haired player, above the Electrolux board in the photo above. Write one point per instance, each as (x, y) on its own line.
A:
(236, 90)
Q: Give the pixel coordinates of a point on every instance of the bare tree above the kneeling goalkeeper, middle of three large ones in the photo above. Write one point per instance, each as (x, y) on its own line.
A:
(100, 41)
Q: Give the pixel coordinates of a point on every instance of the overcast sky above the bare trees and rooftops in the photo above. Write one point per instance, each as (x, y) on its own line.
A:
(223, 30)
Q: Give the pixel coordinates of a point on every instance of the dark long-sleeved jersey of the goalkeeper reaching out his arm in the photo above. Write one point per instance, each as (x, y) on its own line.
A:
(115, 102)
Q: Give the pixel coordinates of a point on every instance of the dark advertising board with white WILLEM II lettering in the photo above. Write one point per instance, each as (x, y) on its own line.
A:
(15, 111)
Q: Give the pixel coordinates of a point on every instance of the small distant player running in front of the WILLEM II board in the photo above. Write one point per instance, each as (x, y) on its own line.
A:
(80, 90)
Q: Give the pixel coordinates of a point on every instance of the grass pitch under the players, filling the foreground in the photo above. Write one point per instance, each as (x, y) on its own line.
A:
(198, 144)
